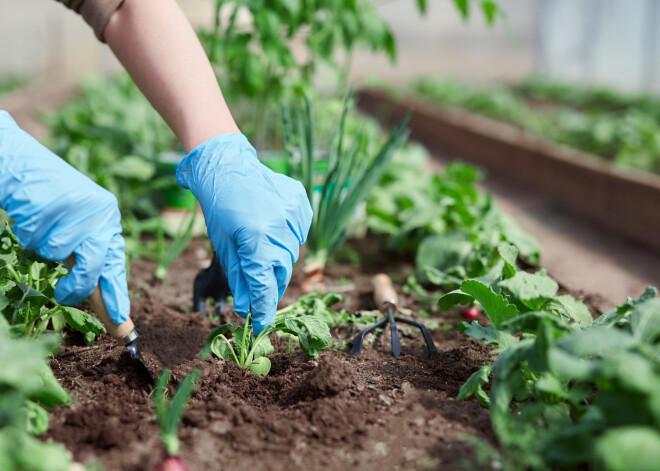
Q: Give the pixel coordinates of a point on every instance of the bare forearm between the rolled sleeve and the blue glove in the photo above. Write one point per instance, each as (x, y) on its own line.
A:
(158, 47)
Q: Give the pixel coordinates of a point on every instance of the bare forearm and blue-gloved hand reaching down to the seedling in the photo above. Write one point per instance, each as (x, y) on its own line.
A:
(256, 219)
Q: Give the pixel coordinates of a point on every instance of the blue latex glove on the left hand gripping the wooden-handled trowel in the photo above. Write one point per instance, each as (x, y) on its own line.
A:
(59, 211)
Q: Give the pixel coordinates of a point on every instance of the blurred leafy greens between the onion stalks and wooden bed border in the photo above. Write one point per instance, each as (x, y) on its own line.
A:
(456, 230)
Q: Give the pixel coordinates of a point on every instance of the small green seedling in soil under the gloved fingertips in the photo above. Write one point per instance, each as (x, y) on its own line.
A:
(250, 352)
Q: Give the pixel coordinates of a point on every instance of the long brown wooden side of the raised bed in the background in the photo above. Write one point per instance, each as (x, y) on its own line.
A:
(622, 202)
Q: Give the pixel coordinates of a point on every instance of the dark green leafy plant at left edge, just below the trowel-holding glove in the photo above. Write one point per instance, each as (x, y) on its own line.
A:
(27, 289)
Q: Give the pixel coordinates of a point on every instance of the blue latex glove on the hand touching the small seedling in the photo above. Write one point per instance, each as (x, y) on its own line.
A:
(256, 219)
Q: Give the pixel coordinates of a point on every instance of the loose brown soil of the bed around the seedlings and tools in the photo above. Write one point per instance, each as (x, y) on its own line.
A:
(365, 412)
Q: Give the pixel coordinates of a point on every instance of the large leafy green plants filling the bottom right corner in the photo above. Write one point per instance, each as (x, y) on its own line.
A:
(565, 392)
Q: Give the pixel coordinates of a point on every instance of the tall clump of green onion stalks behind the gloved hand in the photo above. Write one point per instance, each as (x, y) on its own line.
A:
(352, 173)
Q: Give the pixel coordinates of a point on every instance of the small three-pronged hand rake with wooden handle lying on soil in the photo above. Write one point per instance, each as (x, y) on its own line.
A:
(387, 301)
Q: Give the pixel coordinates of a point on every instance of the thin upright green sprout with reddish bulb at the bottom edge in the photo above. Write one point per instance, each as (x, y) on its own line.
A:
(169, 413)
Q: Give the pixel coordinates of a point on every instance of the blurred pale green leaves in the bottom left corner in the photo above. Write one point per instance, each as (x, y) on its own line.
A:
(27, 387)
